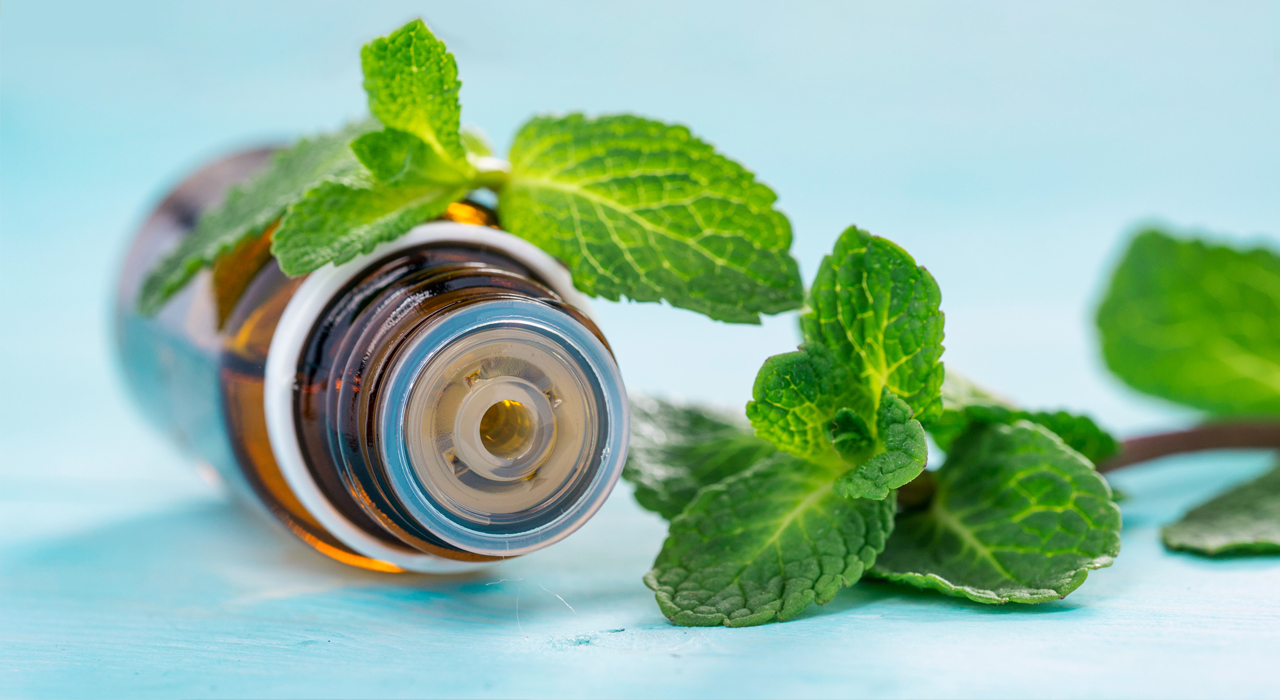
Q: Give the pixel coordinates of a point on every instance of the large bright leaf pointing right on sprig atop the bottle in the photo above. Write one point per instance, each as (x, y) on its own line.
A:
(646, 211)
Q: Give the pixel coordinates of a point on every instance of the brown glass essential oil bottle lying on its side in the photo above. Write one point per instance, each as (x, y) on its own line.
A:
(437, 404)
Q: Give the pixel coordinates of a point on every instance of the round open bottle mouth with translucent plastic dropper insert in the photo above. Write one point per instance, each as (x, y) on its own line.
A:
(506, 428)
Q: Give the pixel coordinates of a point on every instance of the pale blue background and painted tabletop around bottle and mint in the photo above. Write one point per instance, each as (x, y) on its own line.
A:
(1009, 147)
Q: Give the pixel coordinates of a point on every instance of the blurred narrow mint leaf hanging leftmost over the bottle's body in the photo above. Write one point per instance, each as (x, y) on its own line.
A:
(253, 207)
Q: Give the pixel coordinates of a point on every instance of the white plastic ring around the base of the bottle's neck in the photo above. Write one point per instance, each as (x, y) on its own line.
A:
(291, 335)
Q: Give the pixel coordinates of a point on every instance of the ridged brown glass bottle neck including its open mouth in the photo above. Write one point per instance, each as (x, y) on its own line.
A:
(449, 401)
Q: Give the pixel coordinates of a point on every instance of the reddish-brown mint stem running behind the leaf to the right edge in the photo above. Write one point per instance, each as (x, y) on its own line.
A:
(1144, 449)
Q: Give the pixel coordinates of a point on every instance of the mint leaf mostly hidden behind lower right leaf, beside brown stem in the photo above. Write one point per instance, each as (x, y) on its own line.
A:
(966, 405)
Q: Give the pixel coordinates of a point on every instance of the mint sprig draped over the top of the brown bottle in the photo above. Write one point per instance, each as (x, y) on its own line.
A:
(636, 208)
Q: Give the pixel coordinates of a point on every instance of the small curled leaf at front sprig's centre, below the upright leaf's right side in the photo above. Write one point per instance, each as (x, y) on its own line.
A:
(900, 454)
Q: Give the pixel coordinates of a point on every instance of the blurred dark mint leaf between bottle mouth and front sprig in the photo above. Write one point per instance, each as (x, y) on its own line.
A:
(678, 450)
